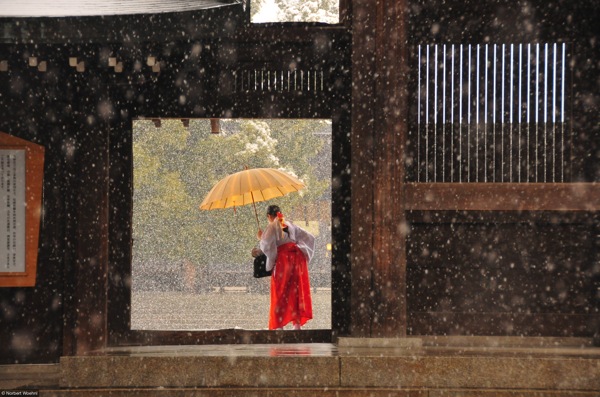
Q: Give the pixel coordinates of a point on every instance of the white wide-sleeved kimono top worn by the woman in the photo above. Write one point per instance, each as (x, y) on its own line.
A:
(271, 239)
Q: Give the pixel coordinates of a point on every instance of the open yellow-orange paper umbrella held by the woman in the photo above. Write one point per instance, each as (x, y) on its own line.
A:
(249, 187)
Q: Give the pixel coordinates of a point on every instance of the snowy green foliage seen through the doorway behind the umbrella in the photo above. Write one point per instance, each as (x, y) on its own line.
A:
(175, 168)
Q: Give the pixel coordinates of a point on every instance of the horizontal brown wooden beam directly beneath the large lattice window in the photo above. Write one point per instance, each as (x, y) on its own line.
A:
(503, 196)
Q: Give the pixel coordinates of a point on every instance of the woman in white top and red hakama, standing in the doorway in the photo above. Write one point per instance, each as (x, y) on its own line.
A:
(289, 249)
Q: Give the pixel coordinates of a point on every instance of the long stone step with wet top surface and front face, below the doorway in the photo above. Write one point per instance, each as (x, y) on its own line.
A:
(403, 363)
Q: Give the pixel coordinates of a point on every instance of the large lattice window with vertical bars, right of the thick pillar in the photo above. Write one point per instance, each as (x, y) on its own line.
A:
(492, 113)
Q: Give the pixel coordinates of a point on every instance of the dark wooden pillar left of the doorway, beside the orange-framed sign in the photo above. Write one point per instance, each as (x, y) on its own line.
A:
(86, 306)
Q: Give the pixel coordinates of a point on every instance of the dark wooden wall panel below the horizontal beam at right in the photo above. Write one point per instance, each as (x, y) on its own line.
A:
(481, 277)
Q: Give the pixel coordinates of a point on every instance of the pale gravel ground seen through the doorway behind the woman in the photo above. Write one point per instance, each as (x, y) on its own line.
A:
(215, 310)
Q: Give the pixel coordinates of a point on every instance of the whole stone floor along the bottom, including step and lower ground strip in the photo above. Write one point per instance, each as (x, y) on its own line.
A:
(428, 366)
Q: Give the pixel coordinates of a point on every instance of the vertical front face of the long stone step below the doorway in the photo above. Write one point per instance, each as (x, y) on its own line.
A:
(409, 371)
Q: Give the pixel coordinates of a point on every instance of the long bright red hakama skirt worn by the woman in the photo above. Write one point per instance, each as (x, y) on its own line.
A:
(290, 288)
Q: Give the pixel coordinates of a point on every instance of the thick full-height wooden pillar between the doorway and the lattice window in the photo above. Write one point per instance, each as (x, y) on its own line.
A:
(379, 128)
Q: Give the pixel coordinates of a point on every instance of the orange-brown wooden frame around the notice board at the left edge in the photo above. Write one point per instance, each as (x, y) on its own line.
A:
(34, 174)
